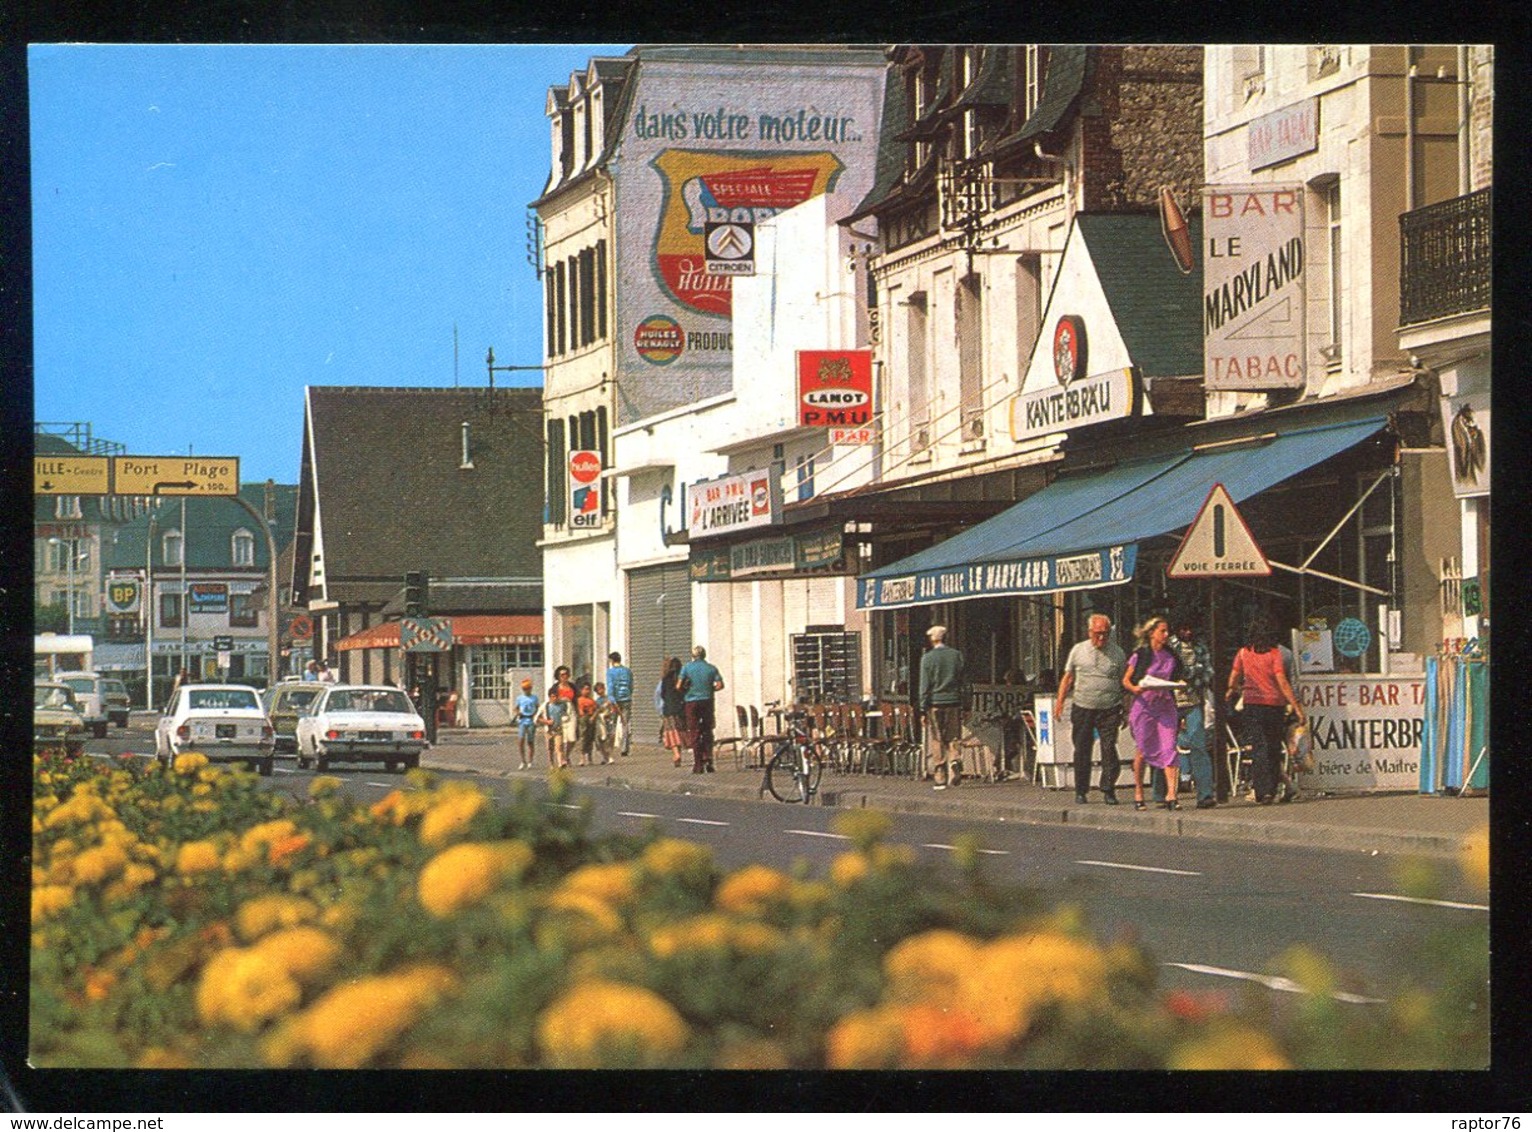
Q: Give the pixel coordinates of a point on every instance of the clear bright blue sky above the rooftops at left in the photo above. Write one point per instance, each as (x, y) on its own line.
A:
(217, 227)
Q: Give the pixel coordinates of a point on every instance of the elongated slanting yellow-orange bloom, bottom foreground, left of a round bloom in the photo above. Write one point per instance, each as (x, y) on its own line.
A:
(352, 1024)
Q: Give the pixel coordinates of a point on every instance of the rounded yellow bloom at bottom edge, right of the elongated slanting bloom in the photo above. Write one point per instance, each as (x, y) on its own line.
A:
(600, 1024)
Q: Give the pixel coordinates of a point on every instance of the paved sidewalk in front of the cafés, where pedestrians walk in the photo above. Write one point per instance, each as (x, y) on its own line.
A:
(1384, 823)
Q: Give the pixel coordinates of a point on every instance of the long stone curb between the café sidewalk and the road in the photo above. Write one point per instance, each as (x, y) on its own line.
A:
(1266, 831)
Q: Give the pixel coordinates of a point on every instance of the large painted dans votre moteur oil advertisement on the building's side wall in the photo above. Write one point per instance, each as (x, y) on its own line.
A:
(724, 143)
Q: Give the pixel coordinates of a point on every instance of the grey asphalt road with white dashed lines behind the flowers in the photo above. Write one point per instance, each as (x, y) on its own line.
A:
(1214, 914)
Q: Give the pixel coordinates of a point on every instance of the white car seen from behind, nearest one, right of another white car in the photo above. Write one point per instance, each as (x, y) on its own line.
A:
(361, 724)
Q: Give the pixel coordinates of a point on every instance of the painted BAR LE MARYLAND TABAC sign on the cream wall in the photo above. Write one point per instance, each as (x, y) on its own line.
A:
(1254, 287)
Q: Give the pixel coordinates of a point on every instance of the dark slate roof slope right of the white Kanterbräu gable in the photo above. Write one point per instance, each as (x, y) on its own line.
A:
(1159, 312)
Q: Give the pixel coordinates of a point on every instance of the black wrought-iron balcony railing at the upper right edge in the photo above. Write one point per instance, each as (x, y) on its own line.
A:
(1444, 260)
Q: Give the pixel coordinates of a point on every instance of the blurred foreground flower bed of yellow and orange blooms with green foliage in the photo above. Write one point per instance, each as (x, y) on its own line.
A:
(188, 918)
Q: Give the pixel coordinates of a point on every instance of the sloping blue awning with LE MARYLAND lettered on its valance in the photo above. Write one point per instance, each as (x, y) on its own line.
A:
(1082, 532)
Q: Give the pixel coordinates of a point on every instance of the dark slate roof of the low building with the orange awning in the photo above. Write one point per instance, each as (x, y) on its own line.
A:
(384, 469)
